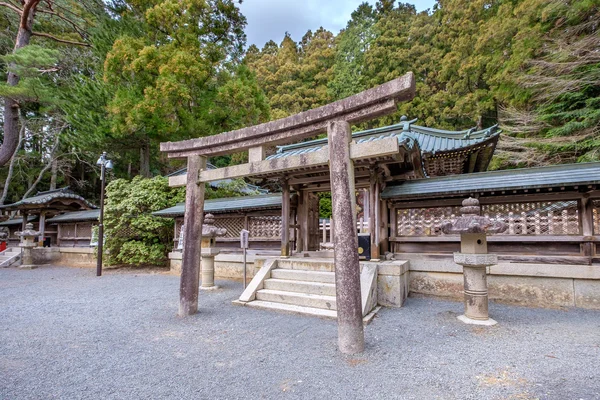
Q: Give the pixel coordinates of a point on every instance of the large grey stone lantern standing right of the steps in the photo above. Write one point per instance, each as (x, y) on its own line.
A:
(475, 259)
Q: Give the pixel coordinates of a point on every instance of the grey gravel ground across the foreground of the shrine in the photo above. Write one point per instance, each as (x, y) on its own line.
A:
(66, 334)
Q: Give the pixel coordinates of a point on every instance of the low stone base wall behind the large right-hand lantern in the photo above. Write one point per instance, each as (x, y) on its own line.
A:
(533, 285)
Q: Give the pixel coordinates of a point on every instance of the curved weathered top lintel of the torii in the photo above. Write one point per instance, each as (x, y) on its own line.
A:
(364, 106)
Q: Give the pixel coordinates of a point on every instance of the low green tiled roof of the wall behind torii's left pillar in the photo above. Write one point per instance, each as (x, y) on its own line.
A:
(228, 204)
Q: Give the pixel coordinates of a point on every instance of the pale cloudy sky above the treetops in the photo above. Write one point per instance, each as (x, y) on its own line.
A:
(270, 19)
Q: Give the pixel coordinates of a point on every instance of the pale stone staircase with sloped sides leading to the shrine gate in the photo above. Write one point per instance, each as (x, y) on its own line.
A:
(304, 286)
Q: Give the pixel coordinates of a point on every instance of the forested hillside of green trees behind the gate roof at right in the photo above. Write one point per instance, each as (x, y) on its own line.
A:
(472, 60)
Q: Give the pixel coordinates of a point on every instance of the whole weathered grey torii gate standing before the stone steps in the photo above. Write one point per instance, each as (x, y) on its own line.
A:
(335, 119)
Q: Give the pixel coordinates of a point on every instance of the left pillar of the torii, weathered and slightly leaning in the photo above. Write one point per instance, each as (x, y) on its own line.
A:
(193, 219)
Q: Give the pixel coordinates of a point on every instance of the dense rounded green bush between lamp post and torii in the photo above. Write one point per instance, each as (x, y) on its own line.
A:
(133, 235)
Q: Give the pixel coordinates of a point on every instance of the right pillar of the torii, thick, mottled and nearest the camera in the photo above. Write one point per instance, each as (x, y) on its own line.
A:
(347, 268)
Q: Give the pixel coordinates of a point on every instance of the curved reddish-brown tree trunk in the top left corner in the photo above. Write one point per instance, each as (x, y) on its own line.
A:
(11, 107)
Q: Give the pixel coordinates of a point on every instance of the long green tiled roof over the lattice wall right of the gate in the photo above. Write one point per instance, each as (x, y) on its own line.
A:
(494, 181)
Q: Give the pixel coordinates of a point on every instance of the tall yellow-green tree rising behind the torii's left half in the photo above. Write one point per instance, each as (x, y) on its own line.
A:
(181, 76)
